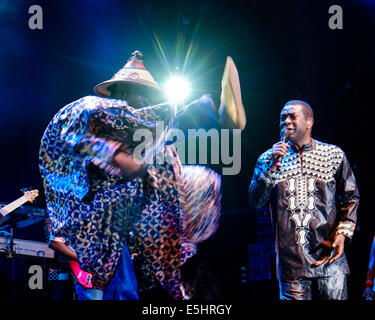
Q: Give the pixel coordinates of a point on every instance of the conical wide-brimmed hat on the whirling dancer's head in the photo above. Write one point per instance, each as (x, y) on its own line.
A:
(133, 76)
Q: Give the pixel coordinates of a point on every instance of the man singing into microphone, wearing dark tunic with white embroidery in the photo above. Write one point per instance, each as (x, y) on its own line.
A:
(313, 197)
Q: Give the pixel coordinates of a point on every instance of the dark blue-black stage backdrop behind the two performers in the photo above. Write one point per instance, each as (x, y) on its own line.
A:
(283, 50)
